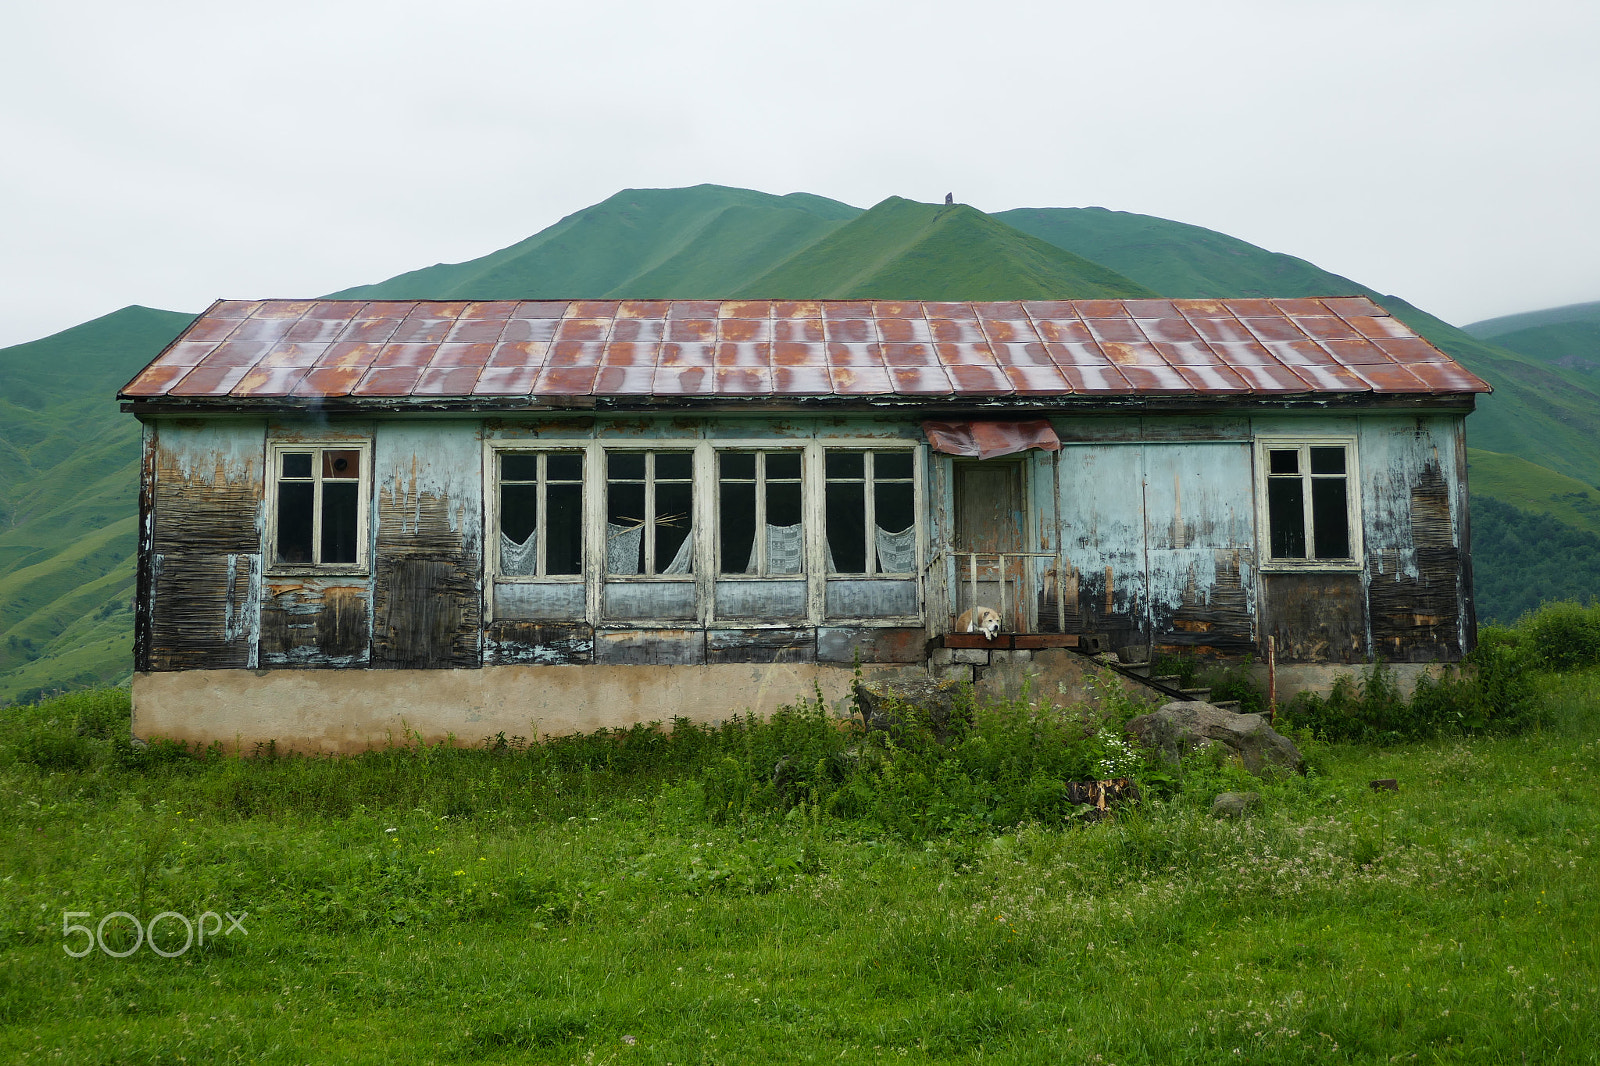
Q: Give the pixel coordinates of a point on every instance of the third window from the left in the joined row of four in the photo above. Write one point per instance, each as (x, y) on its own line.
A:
(761, 513)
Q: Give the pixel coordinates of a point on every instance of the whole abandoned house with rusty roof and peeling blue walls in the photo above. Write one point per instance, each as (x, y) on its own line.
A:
(538, 518)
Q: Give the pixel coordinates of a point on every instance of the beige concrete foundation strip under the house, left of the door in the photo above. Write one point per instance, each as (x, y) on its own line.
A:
(348, 711)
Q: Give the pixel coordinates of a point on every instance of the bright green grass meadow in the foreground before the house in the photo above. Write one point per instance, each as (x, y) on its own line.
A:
(529, 913)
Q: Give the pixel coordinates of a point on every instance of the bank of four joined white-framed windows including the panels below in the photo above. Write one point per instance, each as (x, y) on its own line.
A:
(740, 531)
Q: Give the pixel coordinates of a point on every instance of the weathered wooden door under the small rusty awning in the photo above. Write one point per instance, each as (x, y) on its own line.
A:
(990, 519)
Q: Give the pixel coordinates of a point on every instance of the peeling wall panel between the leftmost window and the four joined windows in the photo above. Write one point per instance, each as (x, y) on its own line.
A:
(428, 559)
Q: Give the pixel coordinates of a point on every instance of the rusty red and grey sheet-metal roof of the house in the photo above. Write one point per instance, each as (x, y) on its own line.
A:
(287, 353)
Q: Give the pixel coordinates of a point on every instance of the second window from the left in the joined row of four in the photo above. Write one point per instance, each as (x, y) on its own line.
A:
(650, 513)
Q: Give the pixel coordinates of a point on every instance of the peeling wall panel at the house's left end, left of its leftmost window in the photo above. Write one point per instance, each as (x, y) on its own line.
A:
(204, 545)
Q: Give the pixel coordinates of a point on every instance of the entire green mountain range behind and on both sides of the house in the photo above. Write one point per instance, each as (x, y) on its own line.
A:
(70, 460)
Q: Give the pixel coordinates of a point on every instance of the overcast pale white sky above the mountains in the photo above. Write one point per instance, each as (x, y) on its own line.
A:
(169, 153)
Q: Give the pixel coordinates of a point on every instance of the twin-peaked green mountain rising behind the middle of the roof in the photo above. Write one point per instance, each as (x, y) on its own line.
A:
(708, 242)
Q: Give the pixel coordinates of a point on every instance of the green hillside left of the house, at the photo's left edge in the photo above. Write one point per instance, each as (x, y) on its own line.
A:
(70, 484)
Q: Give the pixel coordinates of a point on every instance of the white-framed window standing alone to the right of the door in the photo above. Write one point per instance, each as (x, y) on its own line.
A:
(1310, 503)
